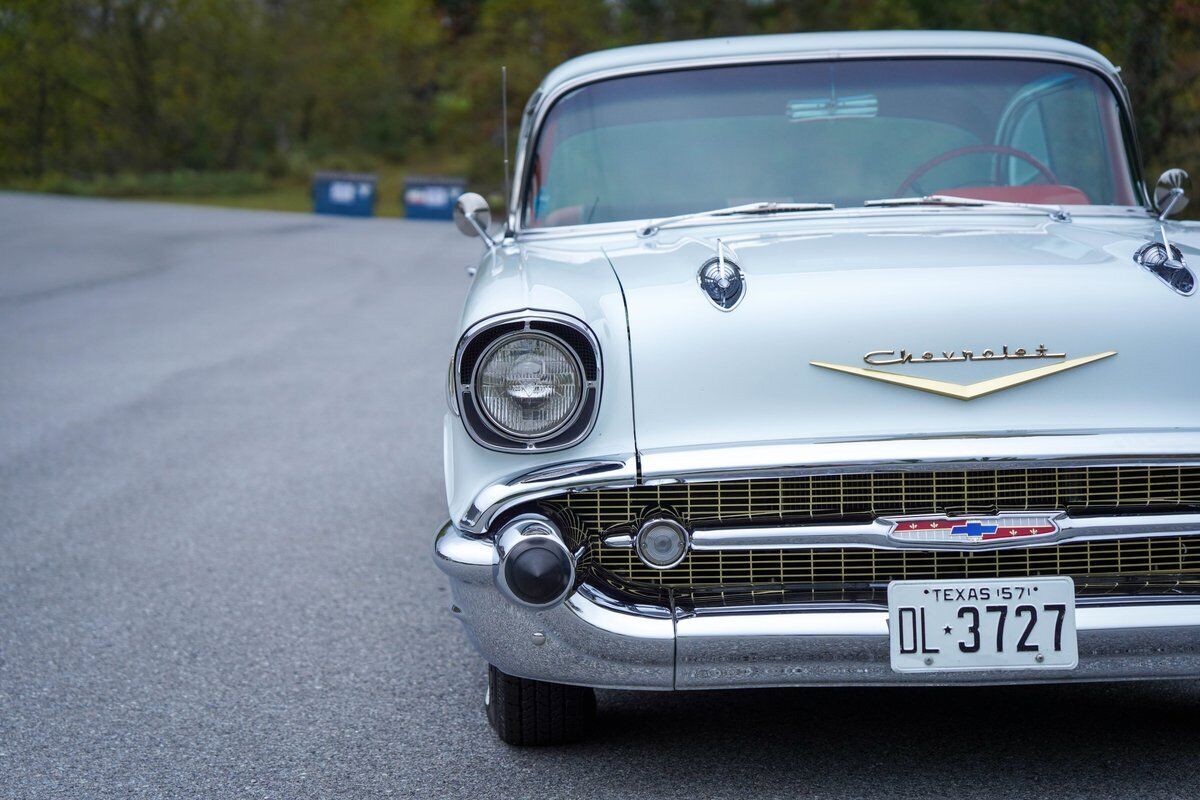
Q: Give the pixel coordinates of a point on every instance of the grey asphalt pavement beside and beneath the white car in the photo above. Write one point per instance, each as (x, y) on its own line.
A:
(220, 477)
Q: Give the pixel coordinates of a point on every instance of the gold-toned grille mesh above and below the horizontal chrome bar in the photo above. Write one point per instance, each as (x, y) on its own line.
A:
(592, 515)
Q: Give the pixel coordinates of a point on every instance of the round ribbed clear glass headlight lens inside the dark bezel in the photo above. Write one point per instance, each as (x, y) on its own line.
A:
(529, 386)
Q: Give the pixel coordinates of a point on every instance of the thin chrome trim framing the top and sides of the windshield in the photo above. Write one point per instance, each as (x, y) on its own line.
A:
(547, 100)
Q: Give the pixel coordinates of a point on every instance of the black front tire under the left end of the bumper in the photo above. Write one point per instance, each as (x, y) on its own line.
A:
(525, 712)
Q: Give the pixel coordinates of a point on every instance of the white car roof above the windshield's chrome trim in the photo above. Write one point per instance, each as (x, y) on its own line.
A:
(832, 45)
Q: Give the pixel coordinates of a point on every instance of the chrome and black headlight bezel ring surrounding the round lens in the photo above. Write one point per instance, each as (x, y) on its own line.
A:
(565, 332)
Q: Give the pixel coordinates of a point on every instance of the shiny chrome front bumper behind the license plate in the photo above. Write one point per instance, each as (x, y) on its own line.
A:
(595, 640)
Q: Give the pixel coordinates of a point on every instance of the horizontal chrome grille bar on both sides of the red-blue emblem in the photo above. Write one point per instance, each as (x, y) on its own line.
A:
(875, 536)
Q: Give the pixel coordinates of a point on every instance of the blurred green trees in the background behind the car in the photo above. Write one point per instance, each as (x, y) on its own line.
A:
(109, 87)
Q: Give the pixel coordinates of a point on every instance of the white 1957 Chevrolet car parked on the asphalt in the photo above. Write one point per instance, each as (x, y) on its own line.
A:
(838, 359)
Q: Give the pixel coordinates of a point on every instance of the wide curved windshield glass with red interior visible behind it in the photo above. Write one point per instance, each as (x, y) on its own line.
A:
(842, 133)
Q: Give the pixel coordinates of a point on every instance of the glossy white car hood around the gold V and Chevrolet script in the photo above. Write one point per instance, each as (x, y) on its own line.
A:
(835, 292)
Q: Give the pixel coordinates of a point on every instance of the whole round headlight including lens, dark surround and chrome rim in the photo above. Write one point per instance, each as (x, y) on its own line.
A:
(529, 382)
